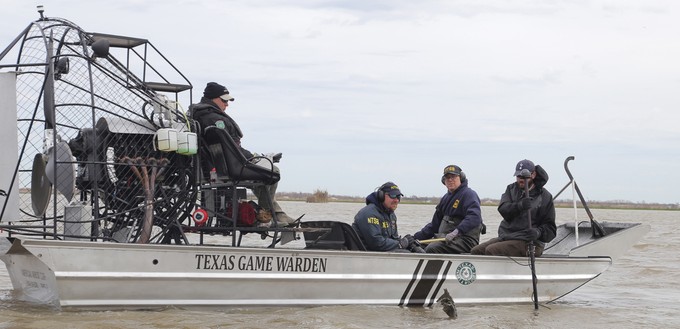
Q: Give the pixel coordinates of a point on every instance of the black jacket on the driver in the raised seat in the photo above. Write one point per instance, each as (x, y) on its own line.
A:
(207, 113)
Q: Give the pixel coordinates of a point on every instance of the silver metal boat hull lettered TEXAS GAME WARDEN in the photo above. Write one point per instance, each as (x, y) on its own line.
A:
(91, 275)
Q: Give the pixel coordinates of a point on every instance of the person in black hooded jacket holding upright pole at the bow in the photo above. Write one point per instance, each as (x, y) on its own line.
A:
(514, 232)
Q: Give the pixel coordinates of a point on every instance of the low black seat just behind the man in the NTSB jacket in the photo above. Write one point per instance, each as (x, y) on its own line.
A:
(341, 236)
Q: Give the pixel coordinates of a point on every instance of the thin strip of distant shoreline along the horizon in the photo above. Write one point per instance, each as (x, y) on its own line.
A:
(304, 197)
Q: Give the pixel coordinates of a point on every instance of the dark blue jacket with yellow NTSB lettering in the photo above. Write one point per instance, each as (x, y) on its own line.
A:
(377, 225)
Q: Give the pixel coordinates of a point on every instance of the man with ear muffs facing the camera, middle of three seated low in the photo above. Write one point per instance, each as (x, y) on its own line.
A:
(457, 217)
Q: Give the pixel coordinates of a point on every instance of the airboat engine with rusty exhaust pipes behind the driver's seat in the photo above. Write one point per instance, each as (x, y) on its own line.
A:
(123, 172)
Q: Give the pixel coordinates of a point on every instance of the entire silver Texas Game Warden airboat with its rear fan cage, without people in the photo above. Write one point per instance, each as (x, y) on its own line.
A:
(105, 202)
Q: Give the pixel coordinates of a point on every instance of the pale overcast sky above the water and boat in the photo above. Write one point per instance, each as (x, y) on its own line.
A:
(356, 93)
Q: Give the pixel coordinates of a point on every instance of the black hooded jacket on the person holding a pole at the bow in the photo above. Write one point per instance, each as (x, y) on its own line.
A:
(515, 223)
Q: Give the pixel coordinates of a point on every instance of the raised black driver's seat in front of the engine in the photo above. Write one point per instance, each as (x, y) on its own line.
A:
(237, 167)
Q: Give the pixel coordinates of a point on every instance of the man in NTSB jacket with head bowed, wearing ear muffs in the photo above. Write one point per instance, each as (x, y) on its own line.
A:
(376, 223)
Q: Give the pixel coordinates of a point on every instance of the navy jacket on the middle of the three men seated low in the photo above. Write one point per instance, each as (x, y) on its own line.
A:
(461, 209)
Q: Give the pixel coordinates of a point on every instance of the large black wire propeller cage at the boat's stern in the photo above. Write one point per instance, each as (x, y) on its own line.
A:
(86, 165)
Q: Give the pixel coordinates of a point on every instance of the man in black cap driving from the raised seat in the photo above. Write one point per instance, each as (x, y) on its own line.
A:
(211, 111)
